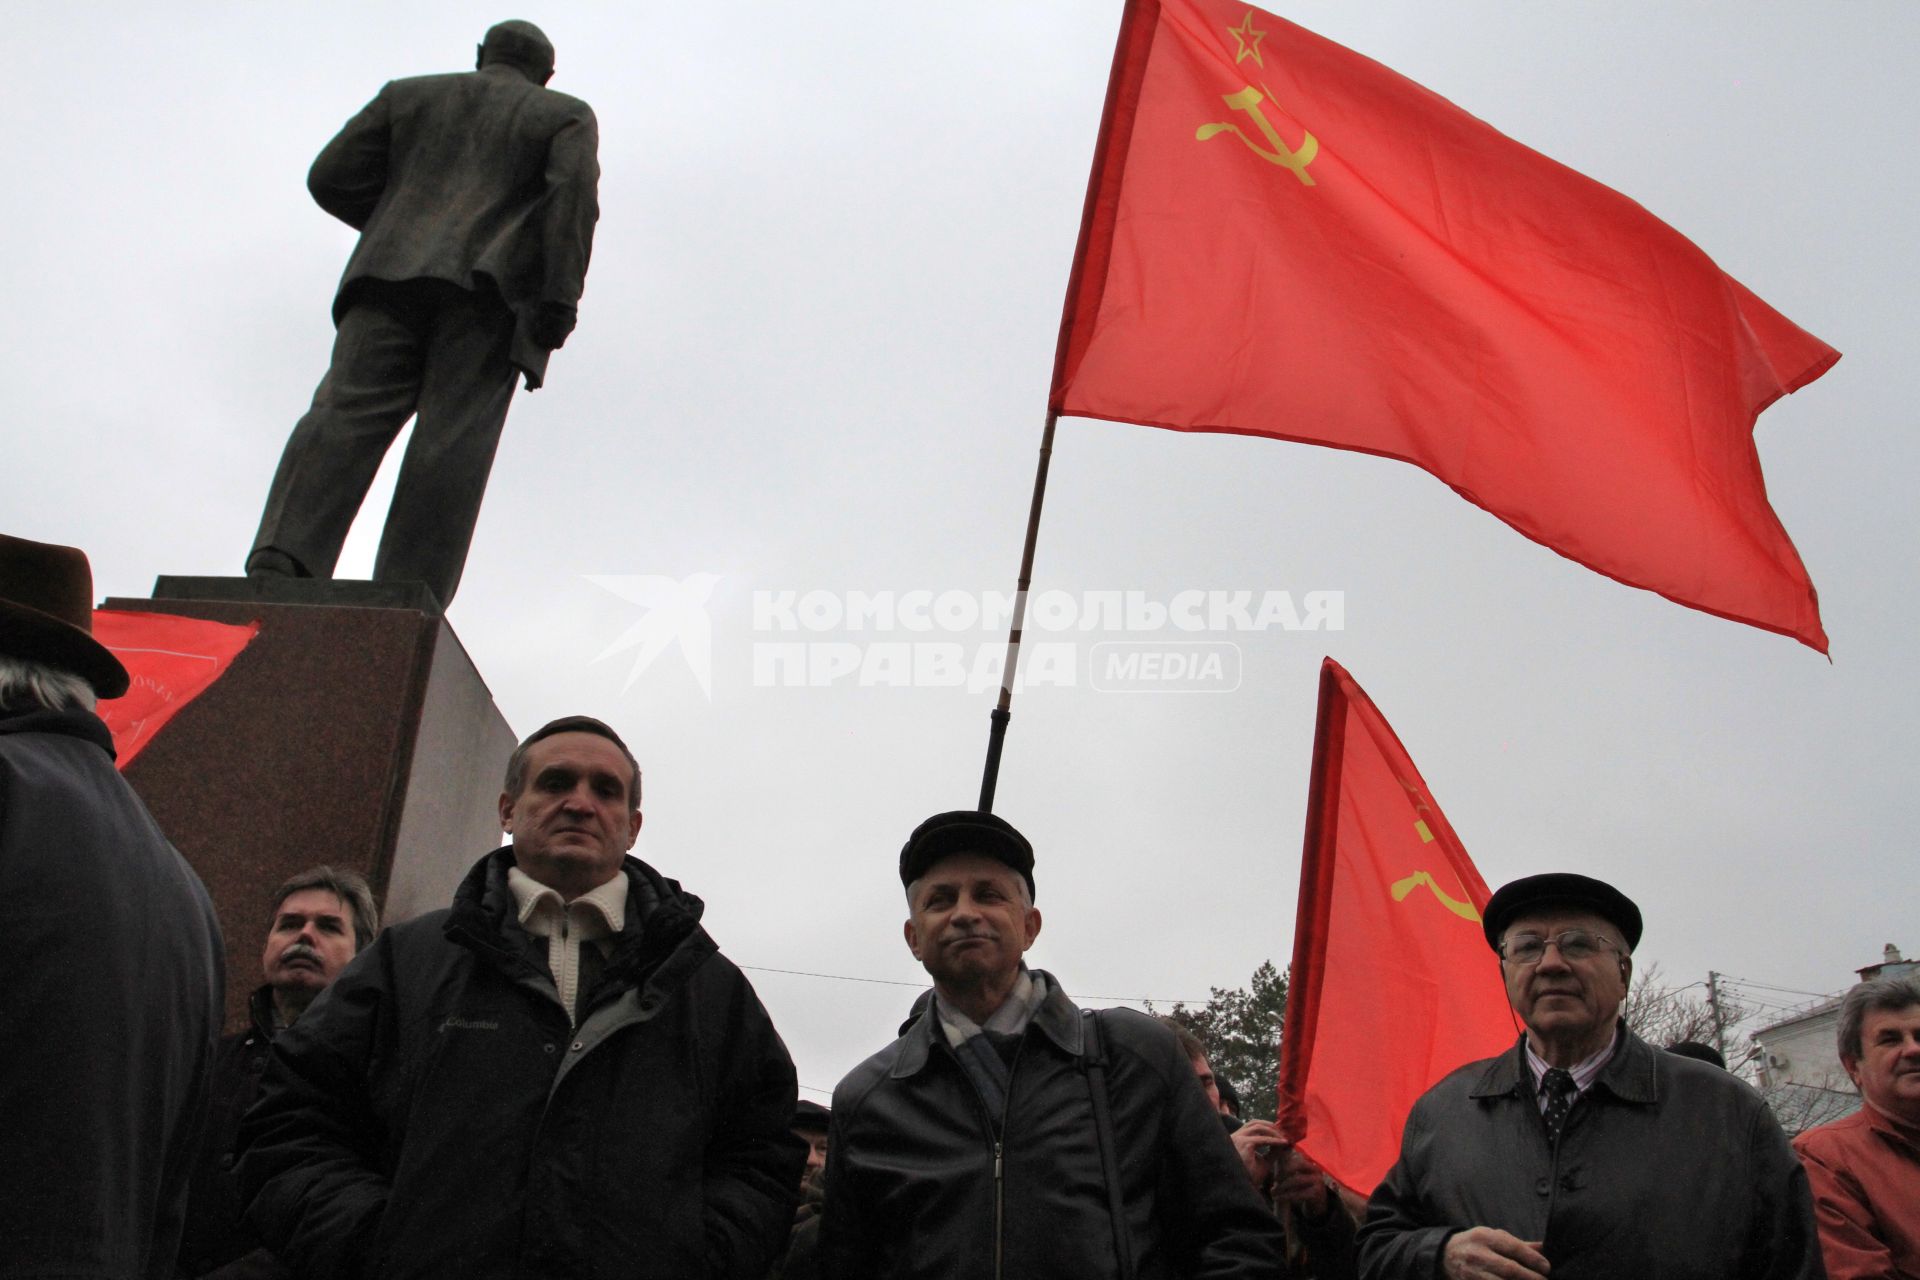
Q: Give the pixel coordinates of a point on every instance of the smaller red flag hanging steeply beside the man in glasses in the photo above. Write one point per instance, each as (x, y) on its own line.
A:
(1393, 984)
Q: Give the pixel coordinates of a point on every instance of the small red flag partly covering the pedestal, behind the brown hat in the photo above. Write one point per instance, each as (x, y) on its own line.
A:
(172, 663)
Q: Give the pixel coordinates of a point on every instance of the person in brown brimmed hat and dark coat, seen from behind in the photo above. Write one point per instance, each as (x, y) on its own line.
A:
(112, 968)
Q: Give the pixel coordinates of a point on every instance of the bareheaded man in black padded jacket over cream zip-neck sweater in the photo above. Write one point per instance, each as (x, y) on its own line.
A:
(556, 1078)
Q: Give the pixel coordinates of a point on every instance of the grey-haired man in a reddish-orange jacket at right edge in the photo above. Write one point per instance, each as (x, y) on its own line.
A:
(1865, 1170)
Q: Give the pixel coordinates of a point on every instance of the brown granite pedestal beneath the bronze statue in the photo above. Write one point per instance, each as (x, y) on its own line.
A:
(354, 730)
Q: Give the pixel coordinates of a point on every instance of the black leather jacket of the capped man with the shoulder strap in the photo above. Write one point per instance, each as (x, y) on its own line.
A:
(921, 1183)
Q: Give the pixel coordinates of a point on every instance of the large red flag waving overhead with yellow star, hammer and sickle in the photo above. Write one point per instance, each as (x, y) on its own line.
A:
(1285, 239)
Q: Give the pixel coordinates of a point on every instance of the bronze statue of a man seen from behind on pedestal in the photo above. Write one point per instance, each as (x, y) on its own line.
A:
(475, 197)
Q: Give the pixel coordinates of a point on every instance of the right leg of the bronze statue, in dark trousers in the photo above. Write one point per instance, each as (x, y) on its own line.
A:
(464, 404)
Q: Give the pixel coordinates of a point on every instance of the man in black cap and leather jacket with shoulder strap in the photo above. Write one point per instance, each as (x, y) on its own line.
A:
(1009, 1135)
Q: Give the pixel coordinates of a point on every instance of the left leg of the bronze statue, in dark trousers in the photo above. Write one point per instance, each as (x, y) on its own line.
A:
(366, 398)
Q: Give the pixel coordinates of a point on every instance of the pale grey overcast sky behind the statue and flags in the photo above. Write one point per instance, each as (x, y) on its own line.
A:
(813, 358)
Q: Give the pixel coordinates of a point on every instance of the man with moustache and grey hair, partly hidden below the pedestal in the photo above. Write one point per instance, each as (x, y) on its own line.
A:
(322, 918)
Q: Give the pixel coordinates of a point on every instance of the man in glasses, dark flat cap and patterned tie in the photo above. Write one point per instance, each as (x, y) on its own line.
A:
(1583, 1150)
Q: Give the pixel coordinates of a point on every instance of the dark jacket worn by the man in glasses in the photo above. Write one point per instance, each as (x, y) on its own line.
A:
(1668, 1168)
